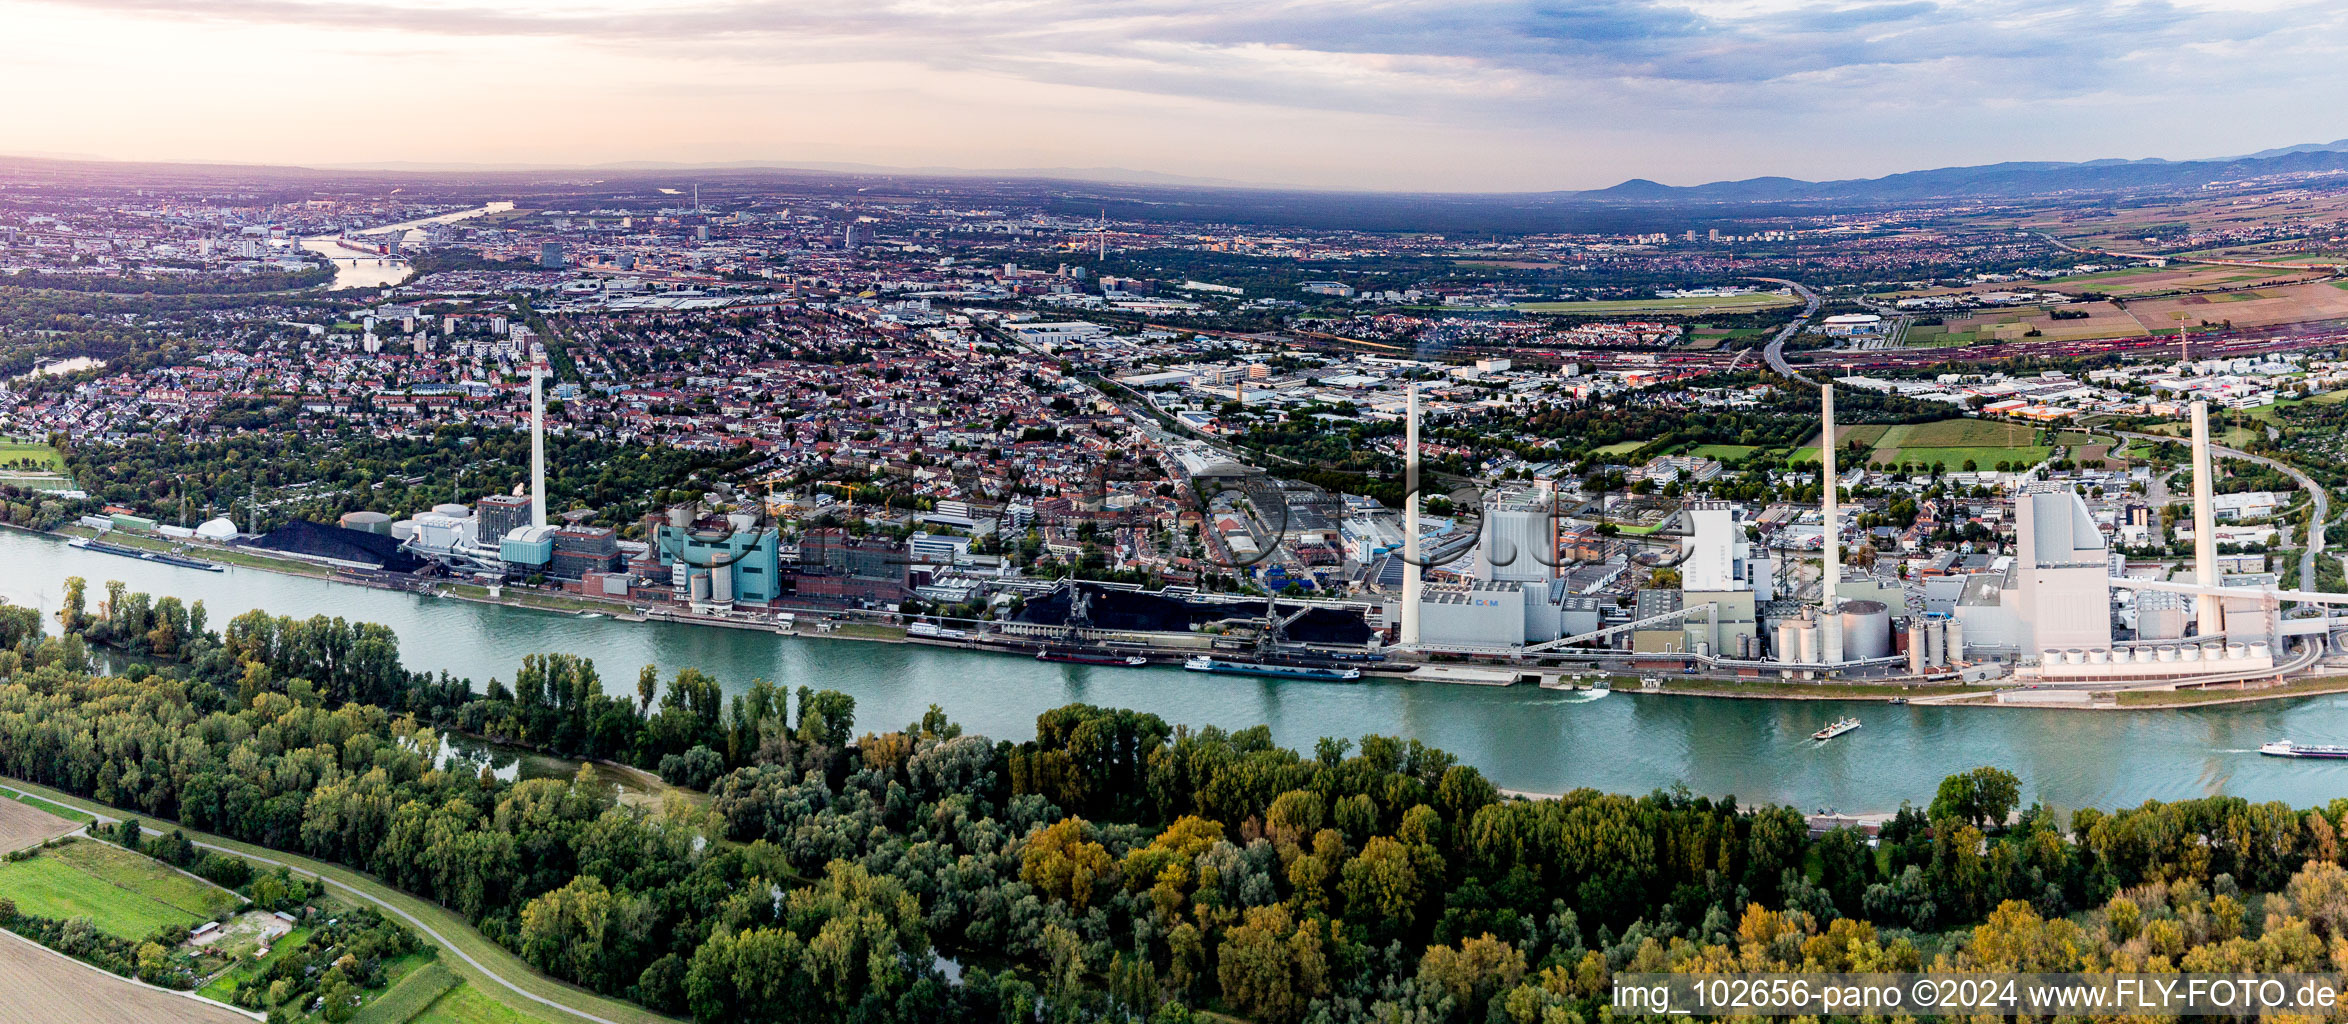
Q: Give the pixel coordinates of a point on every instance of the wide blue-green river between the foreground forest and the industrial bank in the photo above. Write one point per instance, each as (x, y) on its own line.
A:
(1520, 736)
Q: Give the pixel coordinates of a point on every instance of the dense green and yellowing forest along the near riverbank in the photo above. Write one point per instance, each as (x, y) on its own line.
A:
(1112, 868)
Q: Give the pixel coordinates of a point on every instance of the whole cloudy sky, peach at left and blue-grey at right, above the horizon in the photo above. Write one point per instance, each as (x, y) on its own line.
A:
(1382, 95)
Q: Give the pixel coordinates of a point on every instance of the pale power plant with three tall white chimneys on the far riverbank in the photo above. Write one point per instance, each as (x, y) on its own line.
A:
(2044, 614)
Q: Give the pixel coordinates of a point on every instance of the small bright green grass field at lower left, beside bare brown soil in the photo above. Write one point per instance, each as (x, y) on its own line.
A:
(119, 891)
